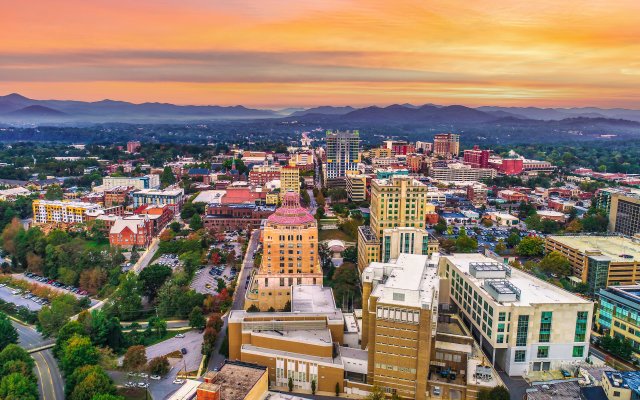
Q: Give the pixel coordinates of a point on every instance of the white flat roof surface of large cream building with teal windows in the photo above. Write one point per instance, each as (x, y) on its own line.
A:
(532, 289)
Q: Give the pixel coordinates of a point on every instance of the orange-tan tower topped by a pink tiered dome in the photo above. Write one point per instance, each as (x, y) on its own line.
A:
(290, 256)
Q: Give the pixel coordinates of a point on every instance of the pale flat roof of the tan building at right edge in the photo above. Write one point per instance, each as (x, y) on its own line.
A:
(618, 248)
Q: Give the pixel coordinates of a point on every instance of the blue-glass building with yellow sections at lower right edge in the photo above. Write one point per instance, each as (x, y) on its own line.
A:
(619, 313)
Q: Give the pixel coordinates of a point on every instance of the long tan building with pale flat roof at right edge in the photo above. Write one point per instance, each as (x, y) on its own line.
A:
(599, 260)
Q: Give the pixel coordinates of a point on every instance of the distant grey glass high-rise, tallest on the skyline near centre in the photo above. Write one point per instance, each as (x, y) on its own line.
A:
(343, 153)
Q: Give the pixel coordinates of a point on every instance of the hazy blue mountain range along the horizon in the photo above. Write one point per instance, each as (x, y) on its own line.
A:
(16, 109)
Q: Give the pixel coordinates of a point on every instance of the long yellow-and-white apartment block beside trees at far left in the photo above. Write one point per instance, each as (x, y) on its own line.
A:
(67, 212)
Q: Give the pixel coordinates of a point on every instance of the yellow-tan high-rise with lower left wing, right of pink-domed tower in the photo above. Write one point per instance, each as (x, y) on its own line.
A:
(399, 201)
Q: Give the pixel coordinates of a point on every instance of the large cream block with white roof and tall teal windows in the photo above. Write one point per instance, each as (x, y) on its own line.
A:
(521, 322)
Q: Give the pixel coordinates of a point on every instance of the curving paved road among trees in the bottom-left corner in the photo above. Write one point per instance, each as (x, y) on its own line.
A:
(50, 383)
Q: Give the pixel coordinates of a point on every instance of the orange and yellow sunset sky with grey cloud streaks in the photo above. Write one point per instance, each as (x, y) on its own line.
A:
(283, 53)
